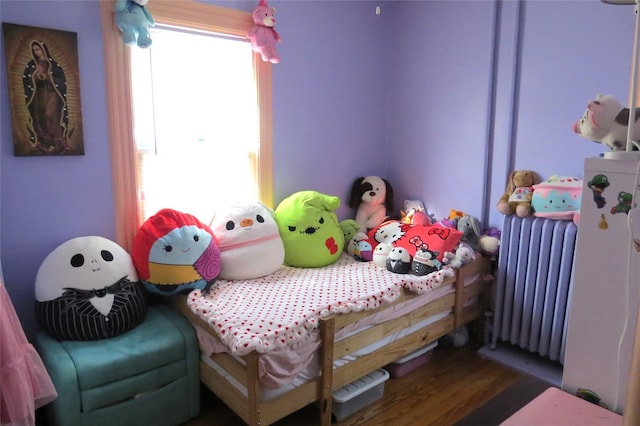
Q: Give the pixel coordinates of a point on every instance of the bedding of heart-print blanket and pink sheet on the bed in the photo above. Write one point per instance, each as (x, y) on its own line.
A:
(278, 315)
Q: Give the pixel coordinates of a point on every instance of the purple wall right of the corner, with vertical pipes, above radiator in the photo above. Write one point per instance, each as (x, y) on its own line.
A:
(497, 87)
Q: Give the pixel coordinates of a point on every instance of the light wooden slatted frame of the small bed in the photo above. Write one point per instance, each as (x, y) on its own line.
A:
(467, 303)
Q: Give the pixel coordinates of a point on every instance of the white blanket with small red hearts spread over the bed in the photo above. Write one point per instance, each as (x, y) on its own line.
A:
(284, 308)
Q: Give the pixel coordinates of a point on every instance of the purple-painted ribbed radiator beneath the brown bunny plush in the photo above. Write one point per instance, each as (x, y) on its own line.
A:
(535, 266)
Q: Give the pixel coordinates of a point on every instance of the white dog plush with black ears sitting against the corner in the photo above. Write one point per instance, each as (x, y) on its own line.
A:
(372, 197)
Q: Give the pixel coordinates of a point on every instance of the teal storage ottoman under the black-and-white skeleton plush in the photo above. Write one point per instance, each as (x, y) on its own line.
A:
(146, 376)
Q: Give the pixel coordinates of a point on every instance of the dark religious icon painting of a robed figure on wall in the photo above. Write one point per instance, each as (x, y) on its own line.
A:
(44, 90)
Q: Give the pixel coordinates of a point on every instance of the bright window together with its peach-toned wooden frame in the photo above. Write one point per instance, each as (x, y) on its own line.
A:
(249, 146)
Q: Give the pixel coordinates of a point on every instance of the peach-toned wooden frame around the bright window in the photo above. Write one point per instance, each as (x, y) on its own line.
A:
(124, 163)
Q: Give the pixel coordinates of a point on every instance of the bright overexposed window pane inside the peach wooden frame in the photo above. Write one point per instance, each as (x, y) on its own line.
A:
(196, 122)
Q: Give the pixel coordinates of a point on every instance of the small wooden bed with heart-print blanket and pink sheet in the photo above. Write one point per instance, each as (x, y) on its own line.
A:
(335, 342)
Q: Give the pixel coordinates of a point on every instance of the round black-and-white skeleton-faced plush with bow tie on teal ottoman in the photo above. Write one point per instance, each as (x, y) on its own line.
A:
(88, 289)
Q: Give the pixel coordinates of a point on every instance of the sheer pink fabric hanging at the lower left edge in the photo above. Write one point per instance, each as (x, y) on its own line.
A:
(25, 382)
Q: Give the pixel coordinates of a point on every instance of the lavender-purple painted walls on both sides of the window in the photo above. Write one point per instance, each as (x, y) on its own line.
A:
(416, 94)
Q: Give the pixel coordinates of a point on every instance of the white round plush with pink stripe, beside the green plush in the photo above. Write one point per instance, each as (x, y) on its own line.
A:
(249, 240)
